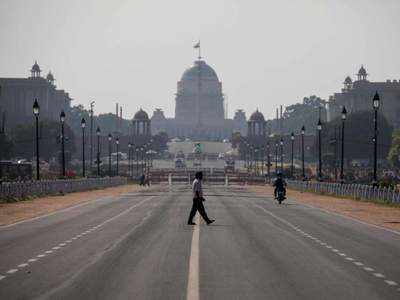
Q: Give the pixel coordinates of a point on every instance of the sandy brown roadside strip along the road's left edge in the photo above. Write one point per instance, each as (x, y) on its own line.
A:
(18, 211)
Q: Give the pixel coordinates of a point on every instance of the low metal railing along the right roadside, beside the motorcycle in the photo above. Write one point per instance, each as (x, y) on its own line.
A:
(356, 191)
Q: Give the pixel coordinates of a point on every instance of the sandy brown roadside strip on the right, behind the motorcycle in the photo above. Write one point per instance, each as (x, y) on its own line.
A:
(385, 216)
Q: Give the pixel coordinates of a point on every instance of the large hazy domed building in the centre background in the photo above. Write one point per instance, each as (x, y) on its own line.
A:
(199, 108)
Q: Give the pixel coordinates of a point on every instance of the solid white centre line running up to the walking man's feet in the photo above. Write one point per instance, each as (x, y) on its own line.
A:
(193, 280)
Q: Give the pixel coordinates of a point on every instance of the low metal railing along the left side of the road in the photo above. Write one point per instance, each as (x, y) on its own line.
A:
(53, 187)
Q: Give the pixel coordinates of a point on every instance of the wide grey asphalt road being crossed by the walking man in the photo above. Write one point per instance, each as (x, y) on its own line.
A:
(138, 246)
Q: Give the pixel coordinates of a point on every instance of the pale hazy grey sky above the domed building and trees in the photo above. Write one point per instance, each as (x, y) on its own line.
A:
(265, 53)
